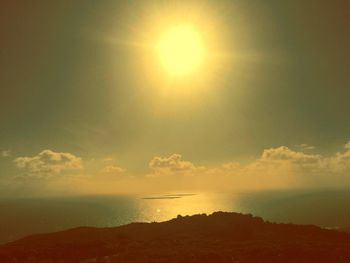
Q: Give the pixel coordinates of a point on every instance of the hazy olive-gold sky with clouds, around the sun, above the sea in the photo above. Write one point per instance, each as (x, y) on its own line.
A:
(85, 105)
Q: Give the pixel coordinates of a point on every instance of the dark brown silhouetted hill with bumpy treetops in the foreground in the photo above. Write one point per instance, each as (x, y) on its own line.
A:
(220, 237)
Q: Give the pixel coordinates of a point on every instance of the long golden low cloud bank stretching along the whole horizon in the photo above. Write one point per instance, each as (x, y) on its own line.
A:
(276, 168)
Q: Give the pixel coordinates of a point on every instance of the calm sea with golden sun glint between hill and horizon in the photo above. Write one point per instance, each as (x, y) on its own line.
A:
(21, 217)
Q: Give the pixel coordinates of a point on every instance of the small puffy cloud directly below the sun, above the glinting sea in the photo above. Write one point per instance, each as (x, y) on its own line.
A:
(171, 164)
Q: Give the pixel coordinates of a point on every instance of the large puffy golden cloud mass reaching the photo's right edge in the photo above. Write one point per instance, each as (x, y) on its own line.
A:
(306, 170)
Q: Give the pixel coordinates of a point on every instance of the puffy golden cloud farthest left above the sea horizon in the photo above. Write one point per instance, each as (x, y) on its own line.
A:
(49, 163)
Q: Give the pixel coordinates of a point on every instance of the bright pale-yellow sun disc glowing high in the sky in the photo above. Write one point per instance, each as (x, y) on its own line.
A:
(181, 50)
